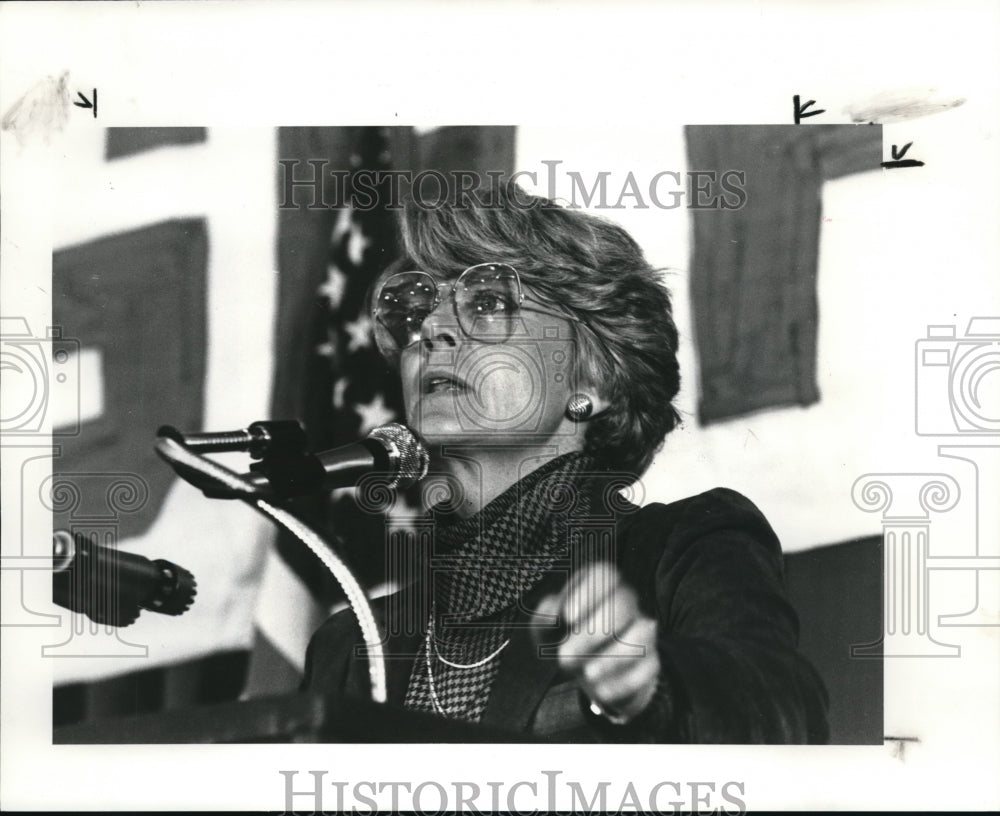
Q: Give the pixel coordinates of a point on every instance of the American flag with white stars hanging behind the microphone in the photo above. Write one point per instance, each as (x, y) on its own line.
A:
(347, 390)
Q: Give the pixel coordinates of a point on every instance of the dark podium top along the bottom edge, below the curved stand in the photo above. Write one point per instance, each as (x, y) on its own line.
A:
(305, 717)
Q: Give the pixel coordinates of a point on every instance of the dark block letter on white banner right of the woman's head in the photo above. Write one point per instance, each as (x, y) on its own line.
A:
(754, 267)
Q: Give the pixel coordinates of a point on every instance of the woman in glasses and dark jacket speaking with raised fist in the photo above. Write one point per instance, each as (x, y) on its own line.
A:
(537, 355)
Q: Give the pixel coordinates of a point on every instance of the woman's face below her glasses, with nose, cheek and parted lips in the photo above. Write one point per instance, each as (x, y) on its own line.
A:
(461, 390)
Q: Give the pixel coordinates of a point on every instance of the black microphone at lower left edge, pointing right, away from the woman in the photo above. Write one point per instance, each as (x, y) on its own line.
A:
(110, 586)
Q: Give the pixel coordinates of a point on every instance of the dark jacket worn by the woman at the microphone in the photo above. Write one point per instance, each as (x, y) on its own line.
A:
(709, 568)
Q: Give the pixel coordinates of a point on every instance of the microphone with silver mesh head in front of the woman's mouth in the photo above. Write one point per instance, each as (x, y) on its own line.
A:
(392, 450)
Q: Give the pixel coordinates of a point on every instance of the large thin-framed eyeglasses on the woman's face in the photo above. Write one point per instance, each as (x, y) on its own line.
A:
(487, 299)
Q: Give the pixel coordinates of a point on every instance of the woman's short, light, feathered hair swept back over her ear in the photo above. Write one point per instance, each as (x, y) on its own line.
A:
(627, 339)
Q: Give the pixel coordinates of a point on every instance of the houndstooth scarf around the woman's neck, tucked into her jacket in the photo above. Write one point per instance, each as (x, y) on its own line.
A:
(483, 564)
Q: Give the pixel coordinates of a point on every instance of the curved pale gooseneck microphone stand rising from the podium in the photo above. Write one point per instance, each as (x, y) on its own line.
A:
(211, 478)
